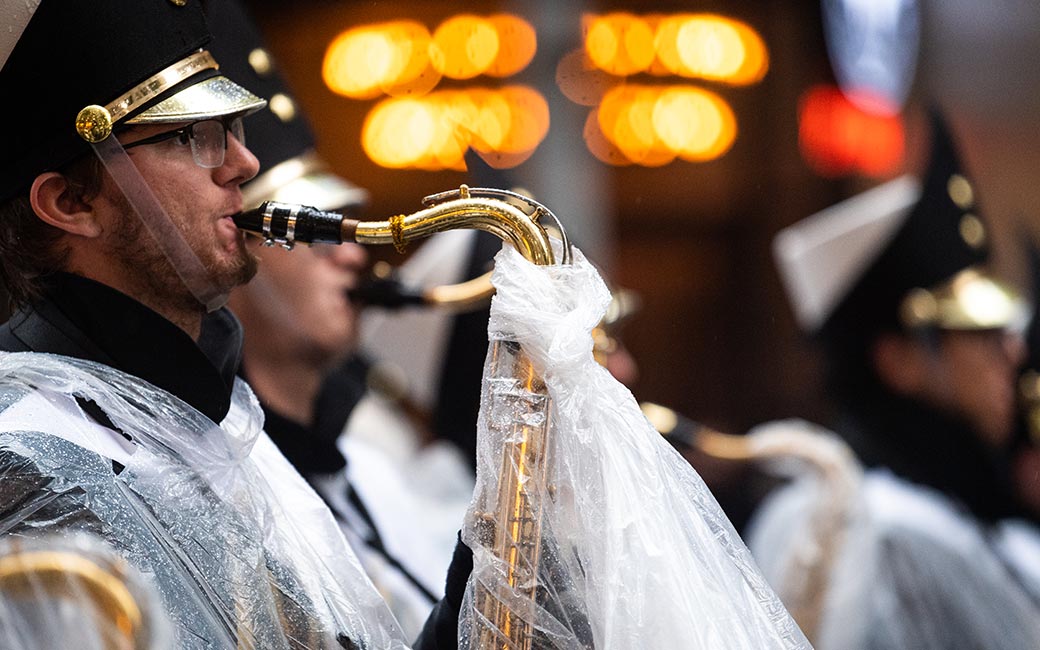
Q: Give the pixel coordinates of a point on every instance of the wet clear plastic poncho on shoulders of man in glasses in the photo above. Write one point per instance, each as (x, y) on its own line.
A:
(242, 553)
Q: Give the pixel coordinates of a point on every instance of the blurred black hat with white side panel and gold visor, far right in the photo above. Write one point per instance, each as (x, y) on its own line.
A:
(907, 255)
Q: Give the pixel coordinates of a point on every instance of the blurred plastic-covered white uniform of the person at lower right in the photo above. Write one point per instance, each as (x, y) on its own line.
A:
(909, 570)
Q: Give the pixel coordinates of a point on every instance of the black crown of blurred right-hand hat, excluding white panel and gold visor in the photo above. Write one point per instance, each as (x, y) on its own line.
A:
(941, 237)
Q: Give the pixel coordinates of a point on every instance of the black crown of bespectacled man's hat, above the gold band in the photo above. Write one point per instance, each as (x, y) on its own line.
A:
(75, 54)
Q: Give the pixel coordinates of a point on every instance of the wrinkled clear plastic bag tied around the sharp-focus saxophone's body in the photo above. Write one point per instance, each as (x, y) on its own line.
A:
(635, 552)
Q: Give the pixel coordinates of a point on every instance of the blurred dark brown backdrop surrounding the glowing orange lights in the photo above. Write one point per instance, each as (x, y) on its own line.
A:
(715, 339)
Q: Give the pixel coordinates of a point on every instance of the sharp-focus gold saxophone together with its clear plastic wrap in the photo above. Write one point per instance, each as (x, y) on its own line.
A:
(588, 530)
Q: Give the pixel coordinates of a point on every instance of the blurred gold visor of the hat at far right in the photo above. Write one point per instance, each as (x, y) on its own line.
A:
(972, 300)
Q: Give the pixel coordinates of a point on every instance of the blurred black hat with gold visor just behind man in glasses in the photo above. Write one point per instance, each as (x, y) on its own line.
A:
(291, 169)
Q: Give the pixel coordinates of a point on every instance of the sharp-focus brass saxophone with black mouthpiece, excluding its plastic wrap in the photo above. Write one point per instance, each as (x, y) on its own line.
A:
(514, 531)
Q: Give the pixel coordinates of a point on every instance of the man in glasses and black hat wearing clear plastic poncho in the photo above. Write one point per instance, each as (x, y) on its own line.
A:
(122, 412)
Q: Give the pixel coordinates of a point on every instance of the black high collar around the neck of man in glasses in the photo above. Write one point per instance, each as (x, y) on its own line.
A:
(83, 319)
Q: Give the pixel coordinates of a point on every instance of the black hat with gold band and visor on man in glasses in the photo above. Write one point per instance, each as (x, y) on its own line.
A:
(75, 71)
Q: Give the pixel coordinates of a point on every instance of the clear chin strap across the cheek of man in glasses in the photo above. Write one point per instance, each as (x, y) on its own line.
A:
(188, 266)
